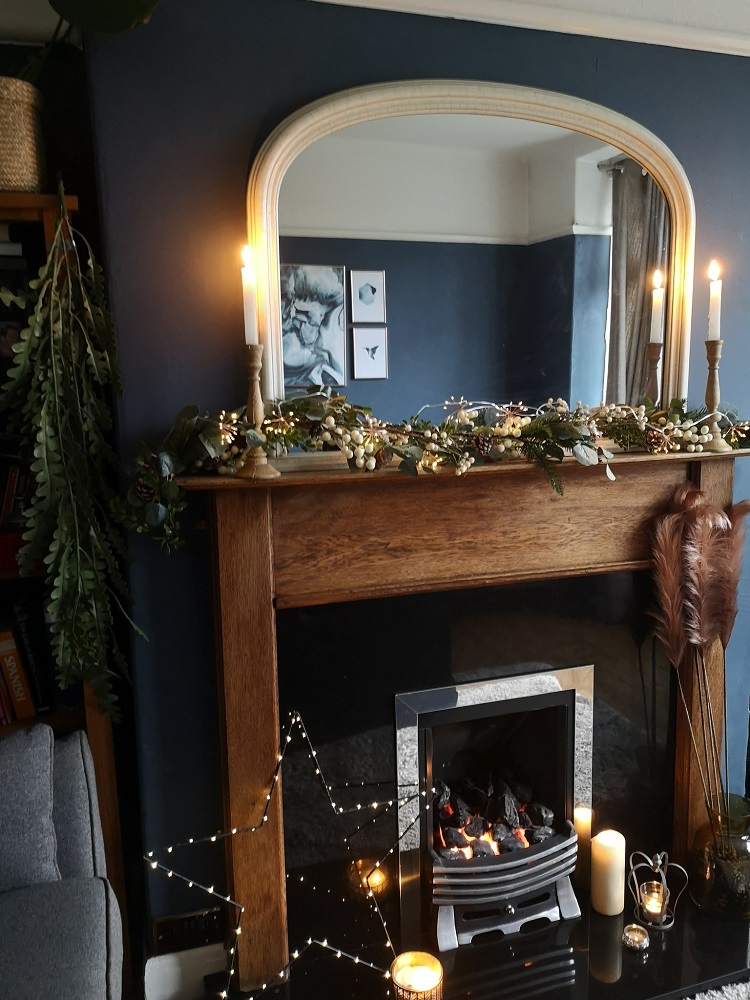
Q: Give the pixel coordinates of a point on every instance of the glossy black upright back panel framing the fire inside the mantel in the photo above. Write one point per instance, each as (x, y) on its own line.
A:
(341, 666)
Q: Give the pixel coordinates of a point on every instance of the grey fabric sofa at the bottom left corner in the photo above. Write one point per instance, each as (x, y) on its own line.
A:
(60, 928)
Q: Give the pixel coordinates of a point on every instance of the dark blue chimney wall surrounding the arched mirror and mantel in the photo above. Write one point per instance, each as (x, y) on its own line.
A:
(180, 108)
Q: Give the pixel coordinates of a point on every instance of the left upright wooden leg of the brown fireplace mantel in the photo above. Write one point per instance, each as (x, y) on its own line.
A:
(246, 633)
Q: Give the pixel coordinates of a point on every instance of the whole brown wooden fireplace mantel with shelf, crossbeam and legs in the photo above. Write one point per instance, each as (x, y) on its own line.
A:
(320, 538)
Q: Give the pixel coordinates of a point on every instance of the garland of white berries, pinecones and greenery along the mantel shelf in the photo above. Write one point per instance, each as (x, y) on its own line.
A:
(469, 434)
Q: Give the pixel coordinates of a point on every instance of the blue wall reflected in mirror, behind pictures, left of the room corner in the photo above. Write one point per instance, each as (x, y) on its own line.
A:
(451, 309)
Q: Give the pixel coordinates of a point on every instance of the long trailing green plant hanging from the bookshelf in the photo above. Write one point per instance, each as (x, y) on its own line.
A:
(58, 396)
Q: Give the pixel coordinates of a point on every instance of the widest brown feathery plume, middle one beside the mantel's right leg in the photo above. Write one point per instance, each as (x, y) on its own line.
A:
(703, 546)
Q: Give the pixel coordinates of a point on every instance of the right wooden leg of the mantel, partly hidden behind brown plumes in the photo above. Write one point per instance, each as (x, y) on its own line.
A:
(715, 479)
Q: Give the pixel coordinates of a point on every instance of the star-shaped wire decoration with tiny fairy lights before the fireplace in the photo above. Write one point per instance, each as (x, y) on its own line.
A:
(159, 863)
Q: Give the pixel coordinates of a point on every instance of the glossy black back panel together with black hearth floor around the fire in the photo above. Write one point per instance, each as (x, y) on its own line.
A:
(341, 667)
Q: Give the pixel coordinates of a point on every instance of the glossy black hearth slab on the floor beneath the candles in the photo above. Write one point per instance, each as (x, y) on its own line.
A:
(573, 960)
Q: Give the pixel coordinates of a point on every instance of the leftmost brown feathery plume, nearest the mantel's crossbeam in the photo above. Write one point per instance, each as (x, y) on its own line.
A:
(668, 579)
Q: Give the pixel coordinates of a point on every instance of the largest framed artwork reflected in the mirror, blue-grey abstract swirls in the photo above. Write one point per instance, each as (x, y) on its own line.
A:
(313, 325)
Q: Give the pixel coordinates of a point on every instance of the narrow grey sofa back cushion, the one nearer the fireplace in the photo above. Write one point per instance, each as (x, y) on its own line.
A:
(75, 811)
